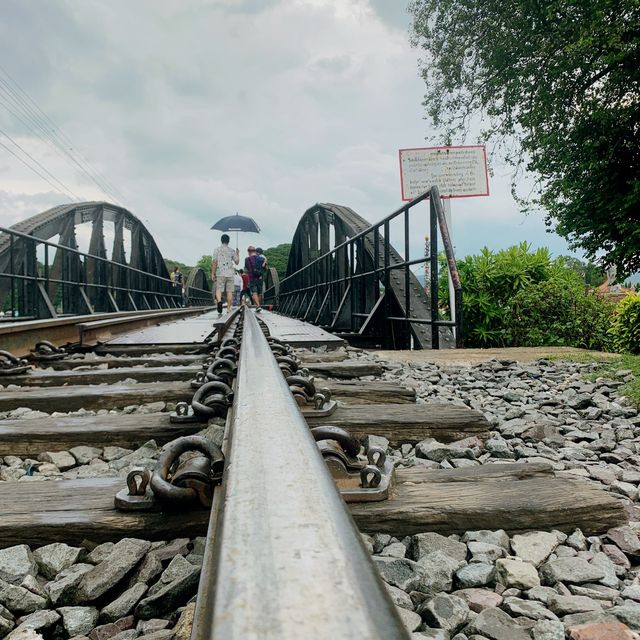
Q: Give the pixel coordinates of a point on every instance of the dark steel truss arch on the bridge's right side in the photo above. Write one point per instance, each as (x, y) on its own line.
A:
(326, 295)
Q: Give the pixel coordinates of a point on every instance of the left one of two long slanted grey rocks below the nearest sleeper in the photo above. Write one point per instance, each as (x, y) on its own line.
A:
(123, 558)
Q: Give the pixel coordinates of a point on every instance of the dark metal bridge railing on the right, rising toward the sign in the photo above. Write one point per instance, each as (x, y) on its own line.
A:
(333, 289)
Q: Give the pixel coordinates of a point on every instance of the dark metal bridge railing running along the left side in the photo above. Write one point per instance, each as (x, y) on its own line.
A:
(39, 278)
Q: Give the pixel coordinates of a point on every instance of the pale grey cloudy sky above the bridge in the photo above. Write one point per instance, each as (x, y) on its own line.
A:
(195, 109)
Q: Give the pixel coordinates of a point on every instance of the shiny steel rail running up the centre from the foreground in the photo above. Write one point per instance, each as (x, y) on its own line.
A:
(284, 558)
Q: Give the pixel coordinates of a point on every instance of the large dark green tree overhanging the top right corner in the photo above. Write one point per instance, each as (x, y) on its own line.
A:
(555, 84)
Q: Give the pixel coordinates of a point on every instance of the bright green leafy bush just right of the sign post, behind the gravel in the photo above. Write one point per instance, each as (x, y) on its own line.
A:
(519, 297)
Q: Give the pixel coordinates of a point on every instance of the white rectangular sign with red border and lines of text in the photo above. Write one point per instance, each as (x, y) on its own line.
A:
(458, 172)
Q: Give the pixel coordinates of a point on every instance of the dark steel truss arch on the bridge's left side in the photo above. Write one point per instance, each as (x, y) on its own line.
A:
(74, 282)
